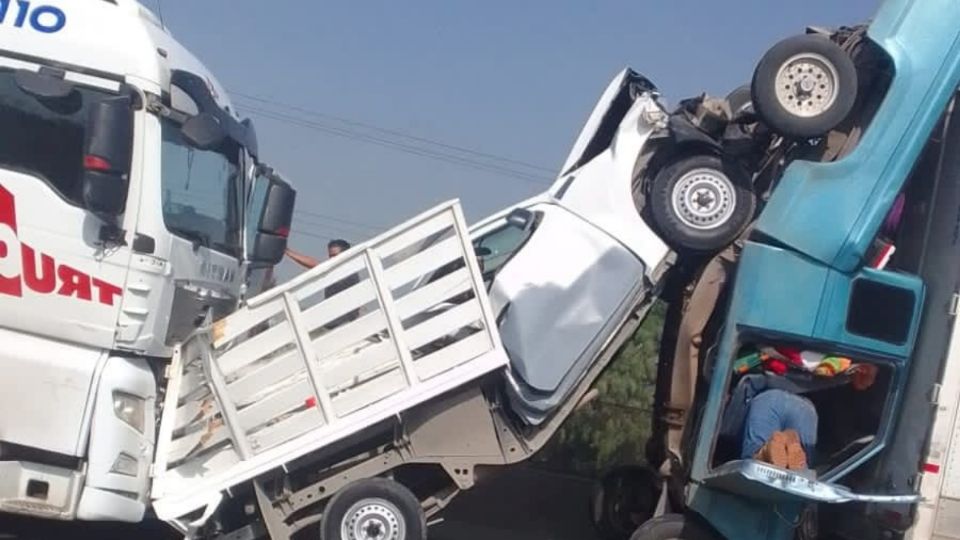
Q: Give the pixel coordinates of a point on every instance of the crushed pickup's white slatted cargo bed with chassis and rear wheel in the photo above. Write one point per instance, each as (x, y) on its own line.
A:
(281, 419)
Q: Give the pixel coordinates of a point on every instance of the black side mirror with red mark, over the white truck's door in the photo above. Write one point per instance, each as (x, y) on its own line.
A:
(108, 151)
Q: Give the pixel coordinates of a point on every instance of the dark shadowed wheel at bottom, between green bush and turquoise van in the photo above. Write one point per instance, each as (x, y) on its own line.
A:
(624, 499)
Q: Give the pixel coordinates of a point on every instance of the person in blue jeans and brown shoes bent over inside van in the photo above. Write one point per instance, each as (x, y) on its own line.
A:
(772, 419)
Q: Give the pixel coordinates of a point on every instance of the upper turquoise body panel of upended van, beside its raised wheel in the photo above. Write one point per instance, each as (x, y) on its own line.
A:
(831, 212)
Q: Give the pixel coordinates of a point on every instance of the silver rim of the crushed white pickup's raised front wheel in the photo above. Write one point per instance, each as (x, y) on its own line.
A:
(704, 199)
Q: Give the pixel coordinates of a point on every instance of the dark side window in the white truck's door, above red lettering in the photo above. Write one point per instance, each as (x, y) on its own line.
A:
(44, 137)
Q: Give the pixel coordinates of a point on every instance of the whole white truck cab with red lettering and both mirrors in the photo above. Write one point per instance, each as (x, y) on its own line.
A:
(125, 223)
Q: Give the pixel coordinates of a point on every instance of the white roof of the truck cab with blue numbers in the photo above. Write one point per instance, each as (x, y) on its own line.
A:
(107, 38)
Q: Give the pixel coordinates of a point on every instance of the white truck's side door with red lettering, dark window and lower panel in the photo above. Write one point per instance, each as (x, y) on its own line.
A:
(60, 281)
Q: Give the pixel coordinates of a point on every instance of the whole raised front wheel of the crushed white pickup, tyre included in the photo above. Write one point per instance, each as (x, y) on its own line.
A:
(701, 203)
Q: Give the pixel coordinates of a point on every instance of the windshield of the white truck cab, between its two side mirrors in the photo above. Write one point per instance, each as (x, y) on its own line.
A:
(201, 195)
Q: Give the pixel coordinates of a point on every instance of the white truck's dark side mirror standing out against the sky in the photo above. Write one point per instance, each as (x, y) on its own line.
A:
(273, 225)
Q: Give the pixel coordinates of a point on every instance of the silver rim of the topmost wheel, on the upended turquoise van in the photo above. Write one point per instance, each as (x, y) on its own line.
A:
(807, 85)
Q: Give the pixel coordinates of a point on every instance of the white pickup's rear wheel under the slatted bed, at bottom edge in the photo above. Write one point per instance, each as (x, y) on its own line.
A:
(373, 509)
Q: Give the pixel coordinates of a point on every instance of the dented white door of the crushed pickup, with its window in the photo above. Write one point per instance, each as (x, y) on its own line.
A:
(559, 288)
